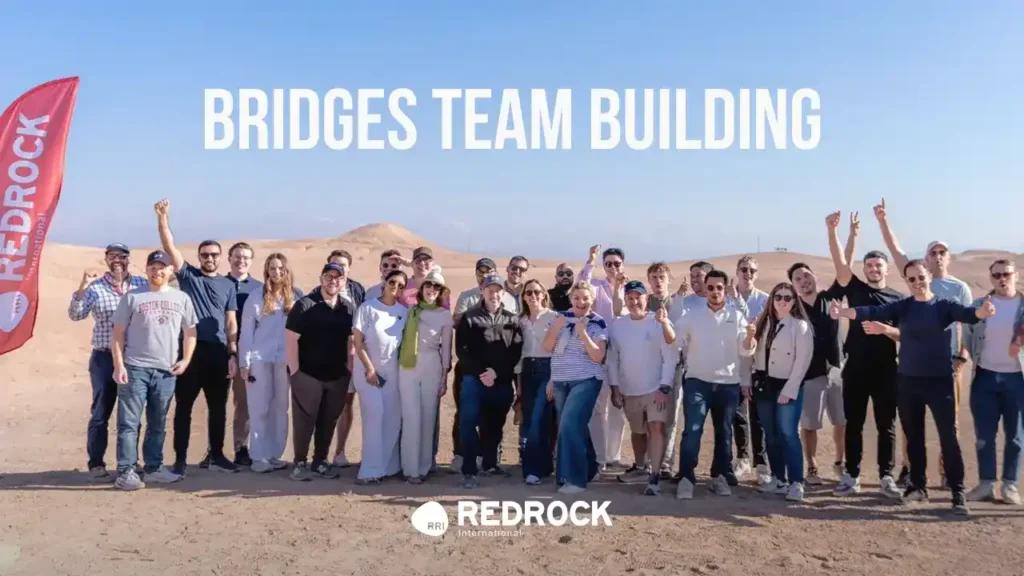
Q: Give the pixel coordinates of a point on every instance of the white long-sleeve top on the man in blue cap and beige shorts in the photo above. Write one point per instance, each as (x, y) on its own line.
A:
(639, 360)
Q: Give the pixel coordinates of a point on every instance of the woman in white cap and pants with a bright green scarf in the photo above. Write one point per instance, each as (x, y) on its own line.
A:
(424, 360)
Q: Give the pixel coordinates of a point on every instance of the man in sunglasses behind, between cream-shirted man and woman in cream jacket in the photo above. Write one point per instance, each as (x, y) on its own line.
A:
(747, 427)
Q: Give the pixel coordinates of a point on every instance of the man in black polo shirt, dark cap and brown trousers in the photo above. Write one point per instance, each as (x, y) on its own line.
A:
(319, 328)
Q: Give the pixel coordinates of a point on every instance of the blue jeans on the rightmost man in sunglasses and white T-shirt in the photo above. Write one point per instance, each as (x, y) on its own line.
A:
(996, 395)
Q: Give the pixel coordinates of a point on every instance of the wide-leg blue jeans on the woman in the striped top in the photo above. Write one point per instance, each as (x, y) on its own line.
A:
(575, 402)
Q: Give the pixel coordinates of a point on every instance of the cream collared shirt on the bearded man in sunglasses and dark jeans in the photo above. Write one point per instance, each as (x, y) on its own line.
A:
(713, 344)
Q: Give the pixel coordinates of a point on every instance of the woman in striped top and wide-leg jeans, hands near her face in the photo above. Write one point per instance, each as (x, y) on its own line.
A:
(578, 341)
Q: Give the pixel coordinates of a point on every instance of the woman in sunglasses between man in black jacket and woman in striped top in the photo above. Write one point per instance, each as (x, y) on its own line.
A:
(538, 412)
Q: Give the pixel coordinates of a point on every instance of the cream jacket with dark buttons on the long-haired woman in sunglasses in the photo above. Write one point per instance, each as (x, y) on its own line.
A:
(791, 354)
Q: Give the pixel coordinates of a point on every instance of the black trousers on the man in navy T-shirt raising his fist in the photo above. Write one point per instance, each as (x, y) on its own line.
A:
(206, 374)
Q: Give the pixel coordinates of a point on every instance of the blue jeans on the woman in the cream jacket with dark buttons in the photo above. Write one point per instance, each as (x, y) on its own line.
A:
(782, 426)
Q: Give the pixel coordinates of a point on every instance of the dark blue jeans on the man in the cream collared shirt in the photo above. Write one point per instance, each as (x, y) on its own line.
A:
(722, 401)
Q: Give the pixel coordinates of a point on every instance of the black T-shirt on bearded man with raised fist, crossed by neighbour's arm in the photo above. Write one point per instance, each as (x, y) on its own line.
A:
(868, 353)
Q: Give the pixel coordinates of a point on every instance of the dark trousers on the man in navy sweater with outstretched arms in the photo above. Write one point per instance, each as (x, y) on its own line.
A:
(936, 394)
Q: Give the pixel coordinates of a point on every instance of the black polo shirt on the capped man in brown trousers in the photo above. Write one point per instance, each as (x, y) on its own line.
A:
(324, 334)
